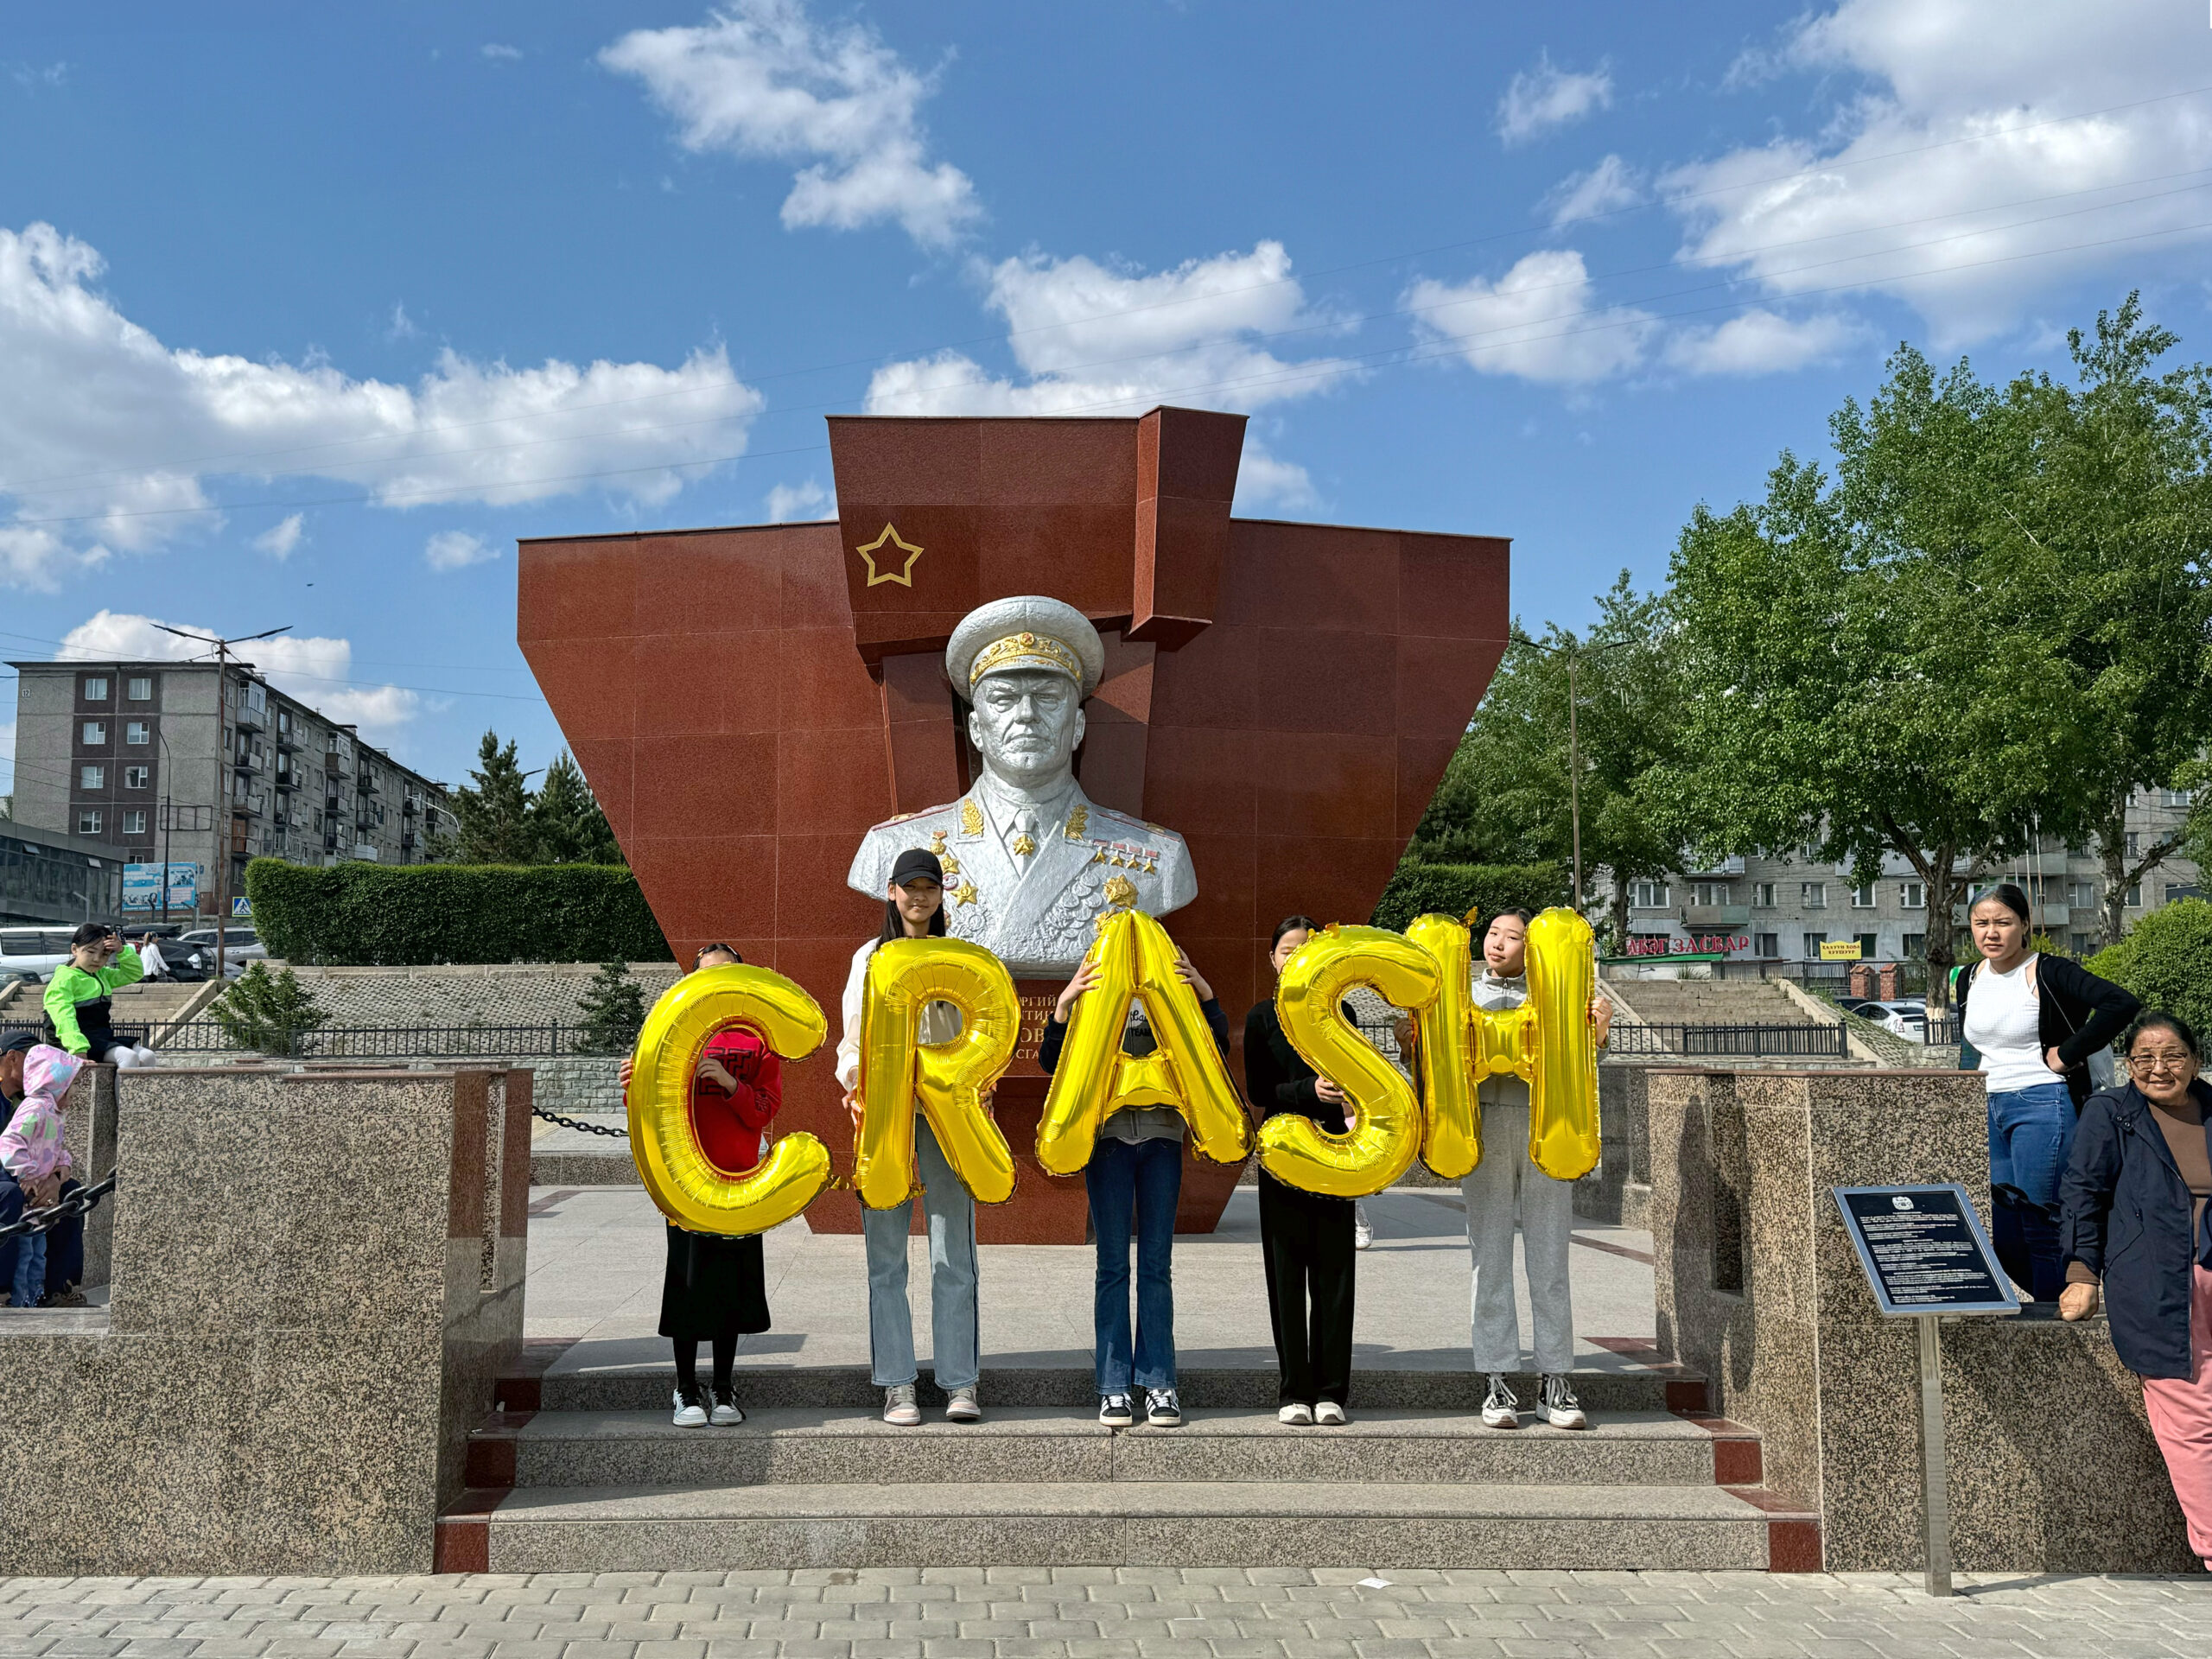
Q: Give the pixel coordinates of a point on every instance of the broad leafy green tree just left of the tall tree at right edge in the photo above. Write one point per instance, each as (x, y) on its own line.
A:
(1857, 678)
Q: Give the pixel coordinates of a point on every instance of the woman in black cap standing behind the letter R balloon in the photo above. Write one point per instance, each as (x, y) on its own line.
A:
(915, 908)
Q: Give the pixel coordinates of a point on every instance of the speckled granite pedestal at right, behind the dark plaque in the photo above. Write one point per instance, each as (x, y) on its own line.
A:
(2052, 1459)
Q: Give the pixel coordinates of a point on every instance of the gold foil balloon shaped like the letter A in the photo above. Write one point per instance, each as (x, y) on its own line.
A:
(1136, 959)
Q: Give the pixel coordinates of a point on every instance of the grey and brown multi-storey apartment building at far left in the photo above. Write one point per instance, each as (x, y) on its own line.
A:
(202, 764)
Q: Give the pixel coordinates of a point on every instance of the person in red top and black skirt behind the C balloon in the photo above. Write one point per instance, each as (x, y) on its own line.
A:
(716, 1288)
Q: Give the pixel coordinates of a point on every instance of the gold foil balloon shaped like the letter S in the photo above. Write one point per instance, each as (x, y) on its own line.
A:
(1386, 1131)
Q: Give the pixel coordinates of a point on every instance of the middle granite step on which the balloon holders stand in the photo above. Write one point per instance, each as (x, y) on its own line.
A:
(1050, 1446)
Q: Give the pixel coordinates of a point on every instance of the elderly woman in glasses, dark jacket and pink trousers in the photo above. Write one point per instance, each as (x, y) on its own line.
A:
(2133, 1227)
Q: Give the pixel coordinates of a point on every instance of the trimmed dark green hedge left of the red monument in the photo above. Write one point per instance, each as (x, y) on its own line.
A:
(364, 915)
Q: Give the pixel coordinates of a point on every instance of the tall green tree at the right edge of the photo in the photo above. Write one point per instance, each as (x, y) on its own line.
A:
(2107, 554)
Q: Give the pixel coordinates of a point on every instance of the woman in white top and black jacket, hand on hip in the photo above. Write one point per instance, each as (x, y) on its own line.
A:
(2036, 1021)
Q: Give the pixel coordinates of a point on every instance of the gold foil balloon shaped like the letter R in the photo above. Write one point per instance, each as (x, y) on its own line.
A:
(950, 1078)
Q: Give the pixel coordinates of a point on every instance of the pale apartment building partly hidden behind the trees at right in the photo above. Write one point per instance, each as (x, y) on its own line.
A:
(1784, 908)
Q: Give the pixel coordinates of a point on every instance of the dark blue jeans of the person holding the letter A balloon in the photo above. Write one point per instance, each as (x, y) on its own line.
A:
(1145, 1178)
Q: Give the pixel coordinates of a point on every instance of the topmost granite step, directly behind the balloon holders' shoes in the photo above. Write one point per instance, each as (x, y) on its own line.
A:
(645, 1388)
